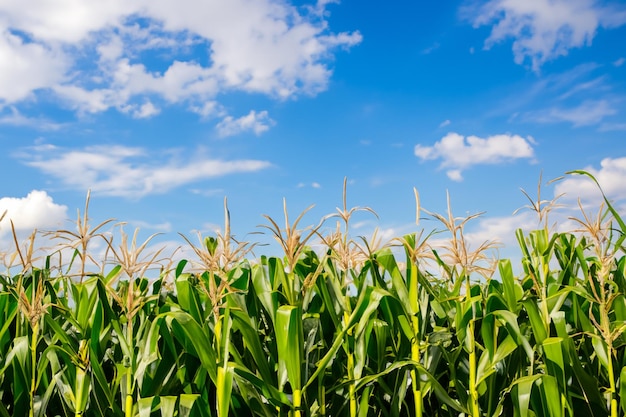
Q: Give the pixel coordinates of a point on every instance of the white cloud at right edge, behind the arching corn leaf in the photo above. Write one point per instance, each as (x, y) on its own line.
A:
(612, 178)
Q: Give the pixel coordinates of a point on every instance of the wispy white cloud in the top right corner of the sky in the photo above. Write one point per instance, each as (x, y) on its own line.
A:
(543, 30)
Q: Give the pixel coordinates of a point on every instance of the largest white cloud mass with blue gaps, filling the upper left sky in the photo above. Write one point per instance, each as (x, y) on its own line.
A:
(138, 55)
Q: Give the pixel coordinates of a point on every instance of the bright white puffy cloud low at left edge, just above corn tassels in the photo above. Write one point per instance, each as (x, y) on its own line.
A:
(35, 211)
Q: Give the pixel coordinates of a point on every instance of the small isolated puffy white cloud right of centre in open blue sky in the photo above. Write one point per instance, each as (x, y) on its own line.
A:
(459, 152)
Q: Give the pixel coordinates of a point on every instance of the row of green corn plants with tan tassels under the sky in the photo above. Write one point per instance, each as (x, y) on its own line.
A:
(356, 328)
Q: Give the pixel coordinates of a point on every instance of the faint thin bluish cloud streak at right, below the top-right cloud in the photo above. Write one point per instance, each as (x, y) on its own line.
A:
(589, 112)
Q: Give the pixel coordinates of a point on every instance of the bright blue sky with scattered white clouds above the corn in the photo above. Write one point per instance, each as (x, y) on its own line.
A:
(165, 108)
